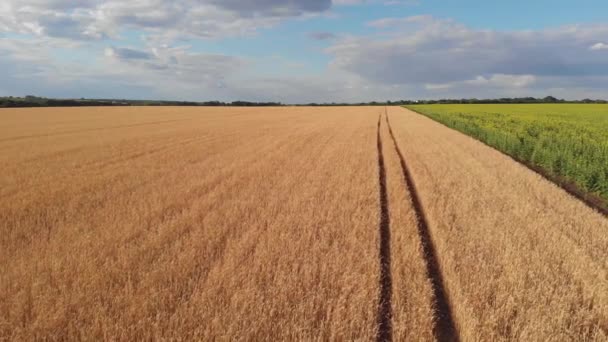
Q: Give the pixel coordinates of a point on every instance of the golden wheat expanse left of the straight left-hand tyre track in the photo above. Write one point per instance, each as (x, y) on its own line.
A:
(133, 223)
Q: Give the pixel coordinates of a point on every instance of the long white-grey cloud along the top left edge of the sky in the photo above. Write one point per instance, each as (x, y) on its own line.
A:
(95, 19)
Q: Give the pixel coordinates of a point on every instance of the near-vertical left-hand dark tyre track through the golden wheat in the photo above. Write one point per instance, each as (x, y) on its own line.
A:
(384, 315)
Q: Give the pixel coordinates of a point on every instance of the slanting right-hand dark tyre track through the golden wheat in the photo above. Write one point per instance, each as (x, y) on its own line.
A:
(444, 328)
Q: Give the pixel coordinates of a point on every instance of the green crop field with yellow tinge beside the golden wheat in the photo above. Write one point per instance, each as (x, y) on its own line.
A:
(568, 141)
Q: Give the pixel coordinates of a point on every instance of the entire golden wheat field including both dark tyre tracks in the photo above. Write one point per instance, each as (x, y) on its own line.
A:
(293, 223)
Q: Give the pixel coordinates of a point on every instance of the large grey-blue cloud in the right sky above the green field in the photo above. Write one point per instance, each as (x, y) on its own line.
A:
(426, 50)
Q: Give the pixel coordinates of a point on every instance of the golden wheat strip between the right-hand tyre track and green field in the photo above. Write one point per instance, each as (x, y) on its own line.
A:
(521, 258)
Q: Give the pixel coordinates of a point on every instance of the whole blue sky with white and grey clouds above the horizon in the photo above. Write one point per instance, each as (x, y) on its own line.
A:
(301, 51)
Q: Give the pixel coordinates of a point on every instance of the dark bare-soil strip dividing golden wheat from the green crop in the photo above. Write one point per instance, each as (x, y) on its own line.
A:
(592, 201)
